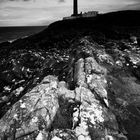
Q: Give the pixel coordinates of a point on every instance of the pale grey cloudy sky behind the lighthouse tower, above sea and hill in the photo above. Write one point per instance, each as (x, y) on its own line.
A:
(44, 12)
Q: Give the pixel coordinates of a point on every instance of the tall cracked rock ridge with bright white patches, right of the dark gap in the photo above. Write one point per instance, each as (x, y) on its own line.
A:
(92, 94)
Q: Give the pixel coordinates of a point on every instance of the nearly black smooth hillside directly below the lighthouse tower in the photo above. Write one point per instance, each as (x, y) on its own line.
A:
(108, 25)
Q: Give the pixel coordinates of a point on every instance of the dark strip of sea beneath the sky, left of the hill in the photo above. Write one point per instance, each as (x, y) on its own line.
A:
(13, 33)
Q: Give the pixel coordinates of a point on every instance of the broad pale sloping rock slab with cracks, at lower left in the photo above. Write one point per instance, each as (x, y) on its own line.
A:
(34, 111)
